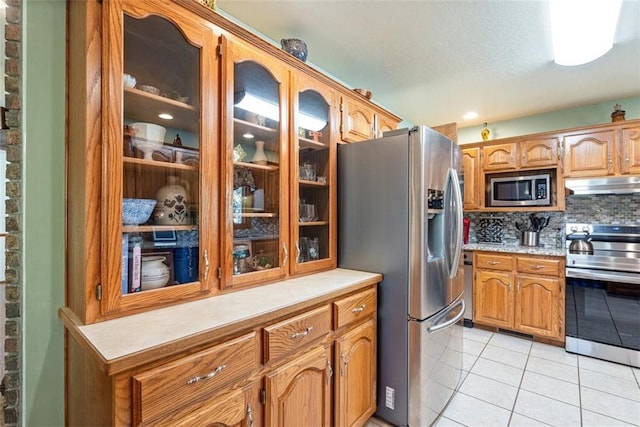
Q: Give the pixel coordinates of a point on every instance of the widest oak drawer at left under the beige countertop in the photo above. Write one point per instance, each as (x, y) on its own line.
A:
(167, 387)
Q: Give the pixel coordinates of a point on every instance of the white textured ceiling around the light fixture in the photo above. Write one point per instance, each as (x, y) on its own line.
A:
(431, 61)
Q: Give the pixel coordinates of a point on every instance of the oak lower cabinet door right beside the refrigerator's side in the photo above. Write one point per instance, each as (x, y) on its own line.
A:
(355, 388)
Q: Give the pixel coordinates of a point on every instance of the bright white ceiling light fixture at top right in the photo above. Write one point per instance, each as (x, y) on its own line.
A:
(582, 30)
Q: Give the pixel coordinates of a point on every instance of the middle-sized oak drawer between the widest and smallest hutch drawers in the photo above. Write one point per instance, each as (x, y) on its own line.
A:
(287, 336)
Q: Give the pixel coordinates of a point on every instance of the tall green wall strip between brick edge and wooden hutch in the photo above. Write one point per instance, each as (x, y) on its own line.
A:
(43, 193)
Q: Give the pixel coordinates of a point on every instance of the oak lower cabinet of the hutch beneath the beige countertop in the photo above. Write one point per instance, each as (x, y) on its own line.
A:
(312, 366)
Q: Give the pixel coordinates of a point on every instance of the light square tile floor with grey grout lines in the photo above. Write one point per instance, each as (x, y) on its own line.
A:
(512, 381)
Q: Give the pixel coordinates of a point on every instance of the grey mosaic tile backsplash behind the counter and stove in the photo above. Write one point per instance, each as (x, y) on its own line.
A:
(600, 209)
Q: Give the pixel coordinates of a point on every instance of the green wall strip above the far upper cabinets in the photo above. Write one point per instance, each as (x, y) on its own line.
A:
(569, 118)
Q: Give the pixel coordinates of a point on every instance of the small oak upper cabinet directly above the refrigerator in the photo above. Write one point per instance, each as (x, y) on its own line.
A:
(361, 122)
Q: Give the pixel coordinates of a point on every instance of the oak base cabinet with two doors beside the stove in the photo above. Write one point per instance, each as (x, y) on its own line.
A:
(524, 293)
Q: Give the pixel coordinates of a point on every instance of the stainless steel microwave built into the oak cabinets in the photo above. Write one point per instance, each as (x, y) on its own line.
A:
(529, 190)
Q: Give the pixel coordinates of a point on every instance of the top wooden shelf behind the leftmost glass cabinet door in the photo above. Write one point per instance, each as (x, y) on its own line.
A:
(145, 107)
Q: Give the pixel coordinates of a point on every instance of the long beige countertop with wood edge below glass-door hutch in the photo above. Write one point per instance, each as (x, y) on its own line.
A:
(114, 341)
